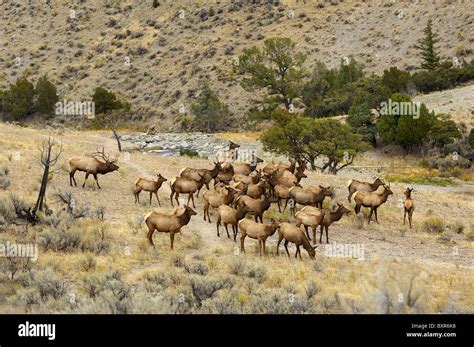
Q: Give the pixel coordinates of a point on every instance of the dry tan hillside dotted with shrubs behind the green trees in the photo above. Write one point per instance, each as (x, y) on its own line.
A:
(158, 57)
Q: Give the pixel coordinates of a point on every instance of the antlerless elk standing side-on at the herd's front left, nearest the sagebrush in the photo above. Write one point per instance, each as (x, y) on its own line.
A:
(167, 223)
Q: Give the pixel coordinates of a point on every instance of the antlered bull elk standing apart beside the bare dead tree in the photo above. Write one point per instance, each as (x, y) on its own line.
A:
(91, 166)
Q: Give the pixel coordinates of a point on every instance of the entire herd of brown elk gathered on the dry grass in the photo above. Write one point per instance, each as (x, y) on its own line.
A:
(241, 189)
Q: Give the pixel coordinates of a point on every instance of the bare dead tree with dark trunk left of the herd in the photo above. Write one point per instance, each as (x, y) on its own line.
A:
(50, 151)
